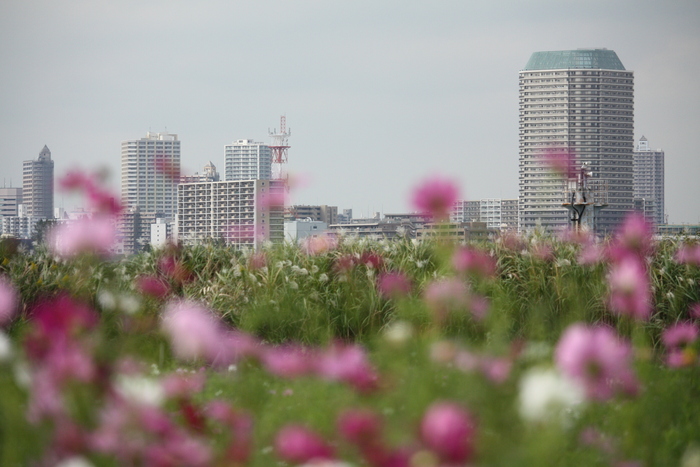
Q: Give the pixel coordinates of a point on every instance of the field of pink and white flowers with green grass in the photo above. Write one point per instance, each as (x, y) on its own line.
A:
(545, 350)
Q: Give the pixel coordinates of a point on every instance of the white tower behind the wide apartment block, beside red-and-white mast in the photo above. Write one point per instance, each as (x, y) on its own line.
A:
(248, 160)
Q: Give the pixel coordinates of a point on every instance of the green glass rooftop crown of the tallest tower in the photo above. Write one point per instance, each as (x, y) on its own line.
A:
(581, 58)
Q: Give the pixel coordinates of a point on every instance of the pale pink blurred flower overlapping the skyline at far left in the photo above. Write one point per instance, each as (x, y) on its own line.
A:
(88, 235)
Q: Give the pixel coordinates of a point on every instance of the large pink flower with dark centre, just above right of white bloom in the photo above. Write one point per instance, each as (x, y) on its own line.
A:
(597, 359)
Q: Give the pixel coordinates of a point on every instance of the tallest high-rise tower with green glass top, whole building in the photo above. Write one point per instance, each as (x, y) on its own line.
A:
(580, 102)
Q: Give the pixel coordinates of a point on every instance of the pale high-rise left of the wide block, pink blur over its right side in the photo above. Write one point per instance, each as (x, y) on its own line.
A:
(150, 173)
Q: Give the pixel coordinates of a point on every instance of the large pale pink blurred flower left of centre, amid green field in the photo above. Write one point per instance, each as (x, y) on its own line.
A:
(193, 331)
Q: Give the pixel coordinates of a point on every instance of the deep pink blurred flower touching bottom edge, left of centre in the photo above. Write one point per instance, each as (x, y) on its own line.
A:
(296, 444)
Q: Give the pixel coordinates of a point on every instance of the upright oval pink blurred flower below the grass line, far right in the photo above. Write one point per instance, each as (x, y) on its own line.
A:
(630, 289)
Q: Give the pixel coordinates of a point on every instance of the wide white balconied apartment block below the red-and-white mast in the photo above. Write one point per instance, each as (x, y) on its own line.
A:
(238, 212)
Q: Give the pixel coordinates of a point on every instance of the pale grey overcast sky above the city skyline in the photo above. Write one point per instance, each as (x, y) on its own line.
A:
(378, 94)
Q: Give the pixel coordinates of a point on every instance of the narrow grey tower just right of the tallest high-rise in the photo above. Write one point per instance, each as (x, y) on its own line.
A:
(649, 178)
